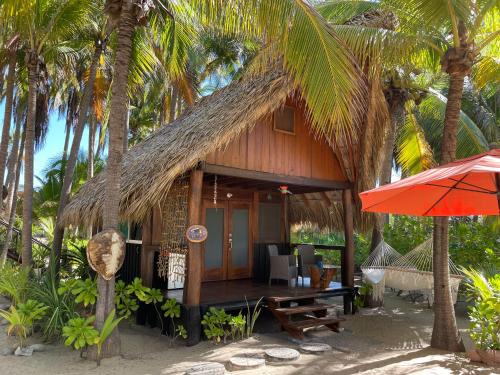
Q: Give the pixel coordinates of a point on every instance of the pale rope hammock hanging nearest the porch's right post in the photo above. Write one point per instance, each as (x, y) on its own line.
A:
(374, 267)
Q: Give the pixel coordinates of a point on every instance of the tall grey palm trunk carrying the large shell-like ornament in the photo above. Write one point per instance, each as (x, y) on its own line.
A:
(117, 121)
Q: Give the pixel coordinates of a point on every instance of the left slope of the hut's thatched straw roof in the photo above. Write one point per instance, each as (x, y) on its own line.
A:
(151, 166)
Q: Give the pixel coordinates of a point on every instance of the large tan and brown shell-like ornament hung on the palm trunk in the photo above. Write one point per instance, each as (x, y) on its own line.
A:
(106, 252)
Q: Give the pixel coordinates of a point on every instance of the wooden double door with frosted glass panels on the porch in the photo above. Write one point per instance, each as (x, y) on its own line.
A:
(228, 248)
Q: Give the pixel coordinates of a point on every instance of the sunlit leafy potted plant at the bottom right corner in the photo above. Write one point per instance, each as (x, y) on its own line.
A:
(484, 316)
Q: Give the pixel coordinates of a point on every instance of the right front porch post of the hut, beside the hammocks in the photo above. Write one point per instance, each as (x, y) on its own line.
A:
(348, 258)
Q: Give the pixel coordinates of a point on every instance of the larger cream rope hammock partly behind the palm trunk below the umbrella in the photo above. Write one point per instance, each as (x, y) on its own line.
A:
(413, 271)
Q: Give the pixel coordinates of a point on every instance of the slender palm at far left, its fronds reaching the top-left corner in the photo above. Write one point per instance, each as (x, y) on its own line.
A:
(43, 26)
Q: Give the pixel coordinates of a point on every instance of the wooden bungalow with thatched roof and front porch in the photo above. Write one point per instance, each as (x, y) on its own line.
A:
(245, 163)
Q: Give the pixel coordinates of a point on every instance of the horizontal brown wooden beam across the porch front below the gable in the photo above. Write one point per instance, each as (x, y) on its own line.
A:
(271, 177)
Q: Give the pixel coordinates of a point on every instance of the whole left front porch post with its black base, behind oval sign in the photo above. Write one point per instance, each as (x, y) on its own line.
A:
(192, 287)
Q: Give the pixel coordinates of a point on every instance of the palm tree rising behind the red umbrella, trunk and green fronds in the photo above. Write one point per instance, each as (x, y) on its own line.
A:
(463, 35)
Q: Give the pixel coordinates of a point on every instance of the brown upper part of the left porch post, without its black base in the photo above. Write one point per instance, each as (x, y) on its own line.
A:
(192, 290)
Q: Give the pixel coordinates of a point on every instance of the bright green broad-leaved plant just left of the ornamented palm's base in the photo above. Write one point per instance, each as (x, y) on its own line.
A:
(80, 333)
